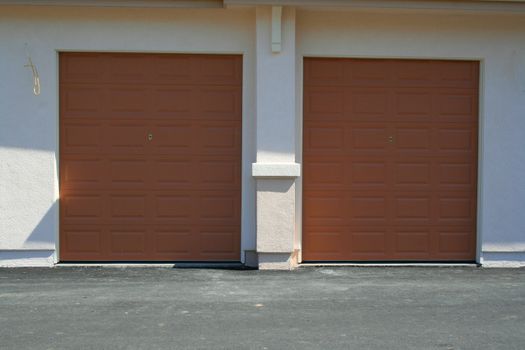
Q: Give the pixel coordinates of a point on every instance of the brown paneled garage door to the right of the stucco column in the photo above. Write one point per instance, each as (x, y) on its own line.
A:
(390, 160)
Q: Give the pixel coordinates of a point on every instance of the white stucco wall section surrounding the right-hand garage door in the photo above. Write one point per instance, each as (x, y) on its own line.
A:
(497, 40)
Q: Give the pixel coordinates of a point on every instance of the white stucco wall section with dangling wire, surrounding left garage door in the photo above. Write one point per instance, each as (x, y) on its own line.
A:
(29, 124)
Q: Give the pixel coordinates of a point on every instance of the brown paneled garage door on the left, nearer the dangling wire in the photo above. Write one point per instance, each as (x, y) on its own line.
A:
(150, 157)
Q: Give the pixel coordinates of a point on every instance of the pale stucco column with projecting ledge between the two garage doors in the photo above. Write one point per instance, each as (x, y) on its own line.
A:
(275, 169)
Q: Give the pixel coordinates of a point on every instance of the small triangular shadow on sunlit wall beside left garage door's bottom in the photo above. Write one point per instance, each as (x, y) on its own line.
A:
(44, 234)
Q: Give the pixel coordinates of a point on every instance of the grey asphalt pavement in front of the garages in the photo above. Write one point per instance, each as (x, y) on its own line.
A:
(310, 308)
